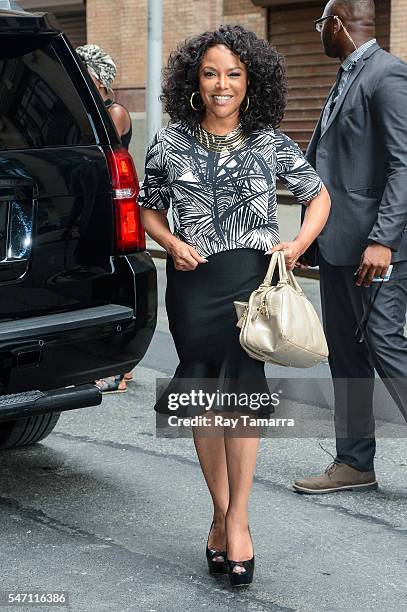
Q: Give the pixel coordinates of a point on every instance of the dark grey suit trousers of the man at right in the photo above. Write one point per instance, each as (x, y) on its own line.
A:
(353, 364)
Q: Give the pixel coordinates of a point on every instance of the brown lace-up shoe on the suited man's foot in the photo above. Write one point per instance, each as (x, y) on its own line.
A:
(337, 477)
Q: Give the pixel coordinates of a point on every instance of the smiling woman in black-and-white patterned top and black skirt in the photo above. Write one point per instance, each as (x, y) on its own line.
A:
(216, 164)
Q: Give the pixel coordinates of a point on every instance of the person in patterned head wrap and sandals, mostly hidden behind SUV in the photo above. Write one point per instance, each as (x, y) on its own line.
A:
(102, 69)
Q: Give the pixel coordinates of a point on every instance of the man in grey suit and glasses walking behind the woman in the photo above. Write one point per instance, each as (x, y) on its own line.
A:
(359, 149)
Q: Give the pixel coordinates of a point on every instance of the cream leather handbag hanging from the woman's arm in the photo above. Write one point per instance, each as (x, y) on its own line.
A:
(279, 324)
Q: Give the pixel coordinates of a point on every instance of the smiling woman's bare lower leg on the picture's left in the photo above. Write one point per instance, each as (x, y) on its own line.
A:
(210, 447)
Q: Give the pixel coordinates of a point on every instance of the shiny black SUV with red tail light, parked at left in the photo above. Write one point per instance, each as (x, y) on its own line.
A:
(78, 296)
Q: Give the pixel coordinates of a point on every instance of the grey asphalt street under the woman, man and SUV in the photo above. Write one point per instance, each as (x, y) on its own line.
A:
(118, 518)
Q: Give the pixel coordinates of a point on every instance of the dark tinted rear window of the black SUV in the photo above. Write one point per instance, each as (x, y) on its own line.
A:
(39, 105)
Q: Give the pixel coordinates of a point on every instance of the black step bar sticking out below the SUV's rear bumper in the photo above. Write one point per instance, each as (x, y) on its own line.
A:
(30, 403)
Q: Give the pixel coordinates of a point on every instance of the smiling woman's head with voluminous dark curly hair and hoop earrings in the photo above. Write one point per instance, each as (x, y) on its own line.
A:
(237, 63)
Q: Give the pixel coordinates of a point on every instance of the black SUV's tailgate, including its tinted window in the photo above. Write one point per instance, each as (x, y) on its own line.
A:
(55, 194)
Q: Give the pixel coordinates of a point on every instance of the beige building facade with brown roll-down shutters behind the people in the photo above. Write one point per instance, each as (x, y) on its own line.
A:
(120, 27)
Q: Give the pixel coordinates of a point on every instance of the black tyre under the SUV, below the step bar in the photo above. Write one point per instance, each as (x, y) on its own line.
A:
(23, 432)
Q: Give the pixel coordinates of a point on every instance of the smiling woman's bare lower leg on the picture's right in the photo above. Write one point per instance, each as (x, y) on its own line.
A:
(241, 455)
